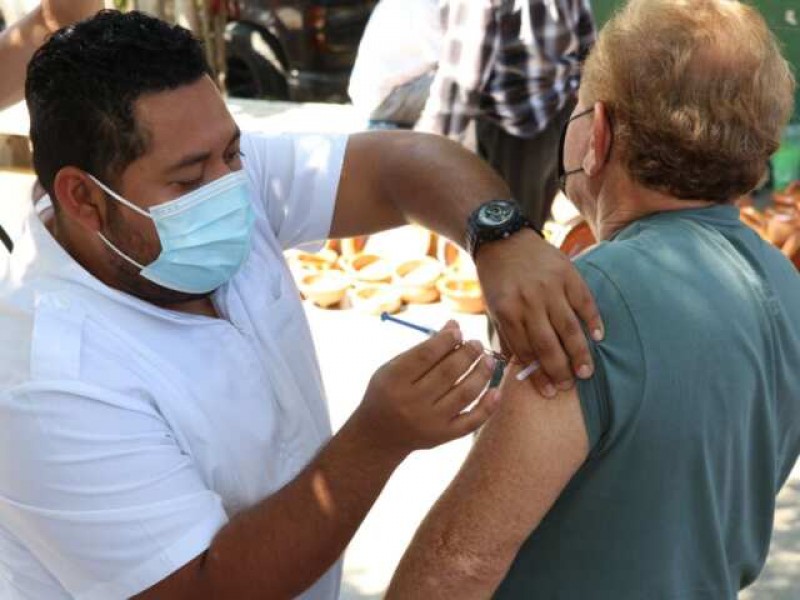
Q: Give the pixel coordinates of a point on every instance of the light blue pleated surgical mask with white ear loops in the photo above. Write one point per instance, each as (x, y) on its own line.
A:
(205, 235)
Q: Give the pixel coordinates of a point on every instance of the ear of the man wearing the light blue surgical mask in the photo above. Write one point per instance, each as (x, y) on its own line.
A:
(80, 198)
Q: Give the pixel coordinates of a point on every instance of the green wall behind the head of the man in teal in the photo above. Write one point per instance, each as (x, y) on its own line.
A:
(783, 17)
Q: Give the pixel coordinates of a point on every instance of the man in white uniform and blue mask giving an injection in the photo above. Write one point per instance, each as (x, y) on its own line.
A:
(163, 430)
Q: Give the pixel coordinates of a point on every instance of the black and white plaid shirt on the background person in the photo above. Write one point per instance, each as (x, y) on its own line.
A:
(516, 62)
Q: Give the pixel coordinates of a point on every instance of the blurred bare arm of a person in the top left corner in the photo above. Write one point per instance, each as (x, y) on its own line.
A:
(21, 39)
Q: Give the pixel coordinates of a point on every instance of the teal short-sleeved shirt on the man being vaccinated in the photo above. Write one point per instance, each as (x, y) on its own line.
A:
(693, 418)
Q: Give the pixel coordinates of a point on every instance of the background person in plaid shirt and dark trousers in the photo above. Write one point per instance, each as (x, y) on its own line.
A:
(514, 67)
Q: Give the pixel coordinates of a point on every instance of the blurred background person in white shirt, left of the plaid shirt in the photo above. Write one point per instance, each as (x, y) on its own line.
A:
(396, 62)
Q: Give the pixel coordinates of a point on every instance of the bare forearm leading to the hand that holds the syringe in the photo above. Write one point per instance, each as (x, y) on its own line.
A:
(283, 545)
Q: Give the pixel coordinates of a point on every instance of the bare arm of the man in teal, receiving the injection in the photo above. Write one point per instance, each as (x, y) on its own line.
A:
(520, 464)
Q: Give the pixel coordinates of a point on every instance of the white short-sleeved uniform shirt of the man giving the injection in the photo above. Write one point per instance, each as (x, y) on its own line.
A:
(130, 434)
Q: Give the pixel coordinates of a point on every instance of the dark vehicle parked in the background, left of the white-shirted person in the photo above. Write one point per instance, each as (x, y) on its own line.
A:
(297, 50)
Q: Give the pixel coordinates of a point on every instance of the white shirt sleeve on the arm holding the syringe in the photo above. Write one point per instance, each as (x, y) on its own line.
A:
(95, 485)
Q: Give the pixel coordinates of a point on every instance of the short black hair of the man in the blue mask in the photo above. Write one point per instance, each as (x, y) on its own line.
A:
(83, 84)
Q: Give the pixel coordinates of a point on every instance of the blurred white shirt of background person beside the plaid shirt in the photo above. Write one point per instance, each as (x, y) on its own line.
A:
(402, 41)
